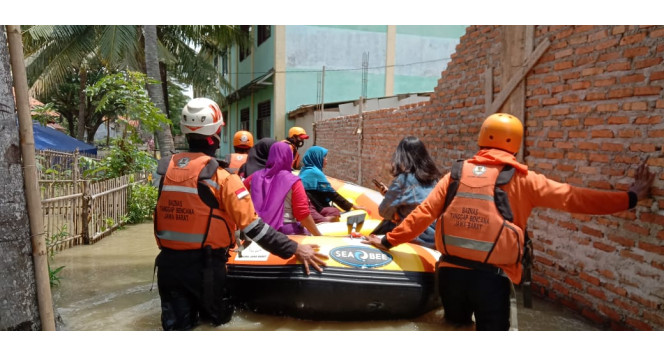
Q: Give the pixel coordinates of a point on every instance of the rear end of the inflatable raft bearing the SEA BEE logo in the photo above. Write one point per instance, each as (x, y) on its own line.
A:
(360, 282)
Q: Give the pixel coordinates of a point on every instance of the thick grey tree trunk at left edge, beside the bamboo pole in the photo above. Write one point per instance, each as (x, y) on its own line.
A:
(18, 298)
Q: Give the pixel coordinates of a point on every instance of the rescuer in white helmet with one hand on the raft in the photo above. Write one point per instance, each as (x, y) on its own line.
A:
(199, 208)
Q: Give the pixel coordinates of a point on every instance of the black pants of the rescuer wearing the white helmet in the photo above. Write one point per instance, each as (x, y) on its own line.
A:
(192, 286)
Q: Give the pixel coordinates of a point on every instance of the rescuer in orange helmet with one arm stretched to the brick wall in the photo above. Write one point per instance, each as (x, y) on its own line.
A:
(482, 207)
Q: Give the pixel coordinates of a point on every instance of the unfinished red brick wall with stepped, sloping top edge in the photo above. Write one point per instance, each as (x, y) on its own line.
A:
(593, 110)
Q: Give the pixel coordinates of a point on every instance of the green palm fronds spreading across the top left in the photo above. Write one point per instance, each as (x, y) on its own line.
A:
(52, 51)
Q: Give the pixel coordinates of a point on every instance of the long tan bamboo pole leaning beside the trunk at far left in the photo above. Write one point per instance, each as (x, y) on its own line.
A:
(33, 201)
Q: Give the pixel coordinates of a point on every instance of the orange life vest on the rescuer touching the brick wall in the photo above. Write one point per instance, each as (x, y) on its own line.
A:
(476, 229)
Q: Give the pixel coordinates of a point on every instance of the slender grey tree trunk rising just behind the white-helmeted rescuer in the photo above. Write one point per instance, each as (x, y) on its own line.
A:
(164, 136)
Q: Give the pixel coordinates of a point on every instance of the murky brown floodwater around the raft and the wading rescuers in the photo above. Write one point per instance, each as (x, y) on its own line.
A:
(106, 287)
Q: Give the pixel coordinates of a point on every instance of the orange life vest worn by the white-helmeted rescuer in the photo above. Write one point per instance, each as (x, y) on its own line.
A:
(183, 220)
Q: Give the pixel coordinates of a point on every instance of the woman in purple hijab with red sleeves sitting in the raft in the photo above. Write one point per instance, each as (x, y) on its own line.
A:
(278, 195)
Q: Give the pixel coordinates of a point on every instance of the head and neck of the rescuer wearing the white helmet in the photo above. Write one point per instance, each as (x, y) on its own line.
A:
(201, 123)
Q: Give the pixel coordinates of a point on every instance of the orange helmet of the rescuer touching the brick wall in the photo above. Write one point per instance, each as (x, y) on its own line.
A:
(501, 131)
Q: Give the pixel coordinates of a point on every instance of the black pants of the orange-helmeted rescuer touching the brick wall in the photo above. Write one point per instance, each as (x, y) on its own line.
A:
(466, 292)
